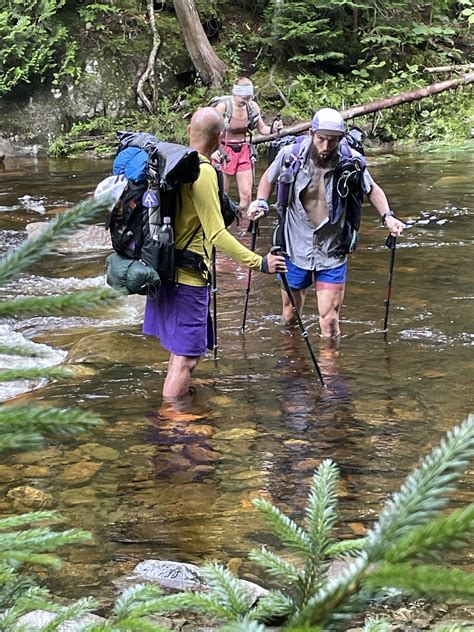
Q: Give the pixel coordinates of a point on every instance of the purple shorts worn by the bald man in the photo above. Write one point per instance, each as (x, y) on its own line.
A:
(179, 316)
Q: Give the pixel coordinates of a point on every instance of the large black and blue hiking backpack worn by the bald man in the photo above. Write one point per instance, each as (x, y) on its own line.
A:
(154, 171)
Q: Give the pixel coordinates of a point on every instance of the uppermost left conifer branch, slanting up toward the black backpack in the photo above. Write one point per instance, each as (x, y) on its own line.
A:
(32, 250)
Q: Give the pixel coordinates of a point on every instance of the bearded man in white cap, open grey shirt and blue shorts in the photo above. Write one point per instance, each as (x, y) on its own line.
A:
(315, 224)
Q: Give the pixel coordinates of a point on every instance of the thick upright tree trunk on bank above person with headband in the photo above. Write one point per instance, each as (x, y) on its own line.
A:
(208, 66)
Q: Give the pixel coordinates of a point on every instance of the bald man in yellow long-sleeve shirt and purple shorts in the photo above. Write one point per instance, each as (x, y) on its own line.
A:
(179, 312)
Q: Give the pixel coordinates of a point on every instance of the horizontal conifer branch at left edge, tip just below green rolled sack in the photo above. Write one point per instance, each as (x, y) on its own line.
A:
(74, 302)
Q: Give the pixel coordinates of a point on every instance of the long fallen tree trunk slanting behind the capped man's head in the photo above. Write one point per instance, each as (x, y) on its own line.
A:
(390, 102)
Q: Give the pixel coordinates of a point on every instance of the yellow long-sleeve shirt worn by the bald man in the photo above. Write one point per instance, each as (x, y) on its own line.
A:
(198, 213)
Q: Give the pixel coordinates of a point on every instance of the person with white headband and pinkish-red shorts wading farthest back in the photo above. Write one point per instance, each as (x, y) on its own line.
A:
(241, 116)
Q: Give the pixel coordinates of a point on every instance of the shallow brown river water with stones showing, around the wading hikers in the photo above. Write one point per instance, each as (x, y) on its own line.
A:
(180, 487)
